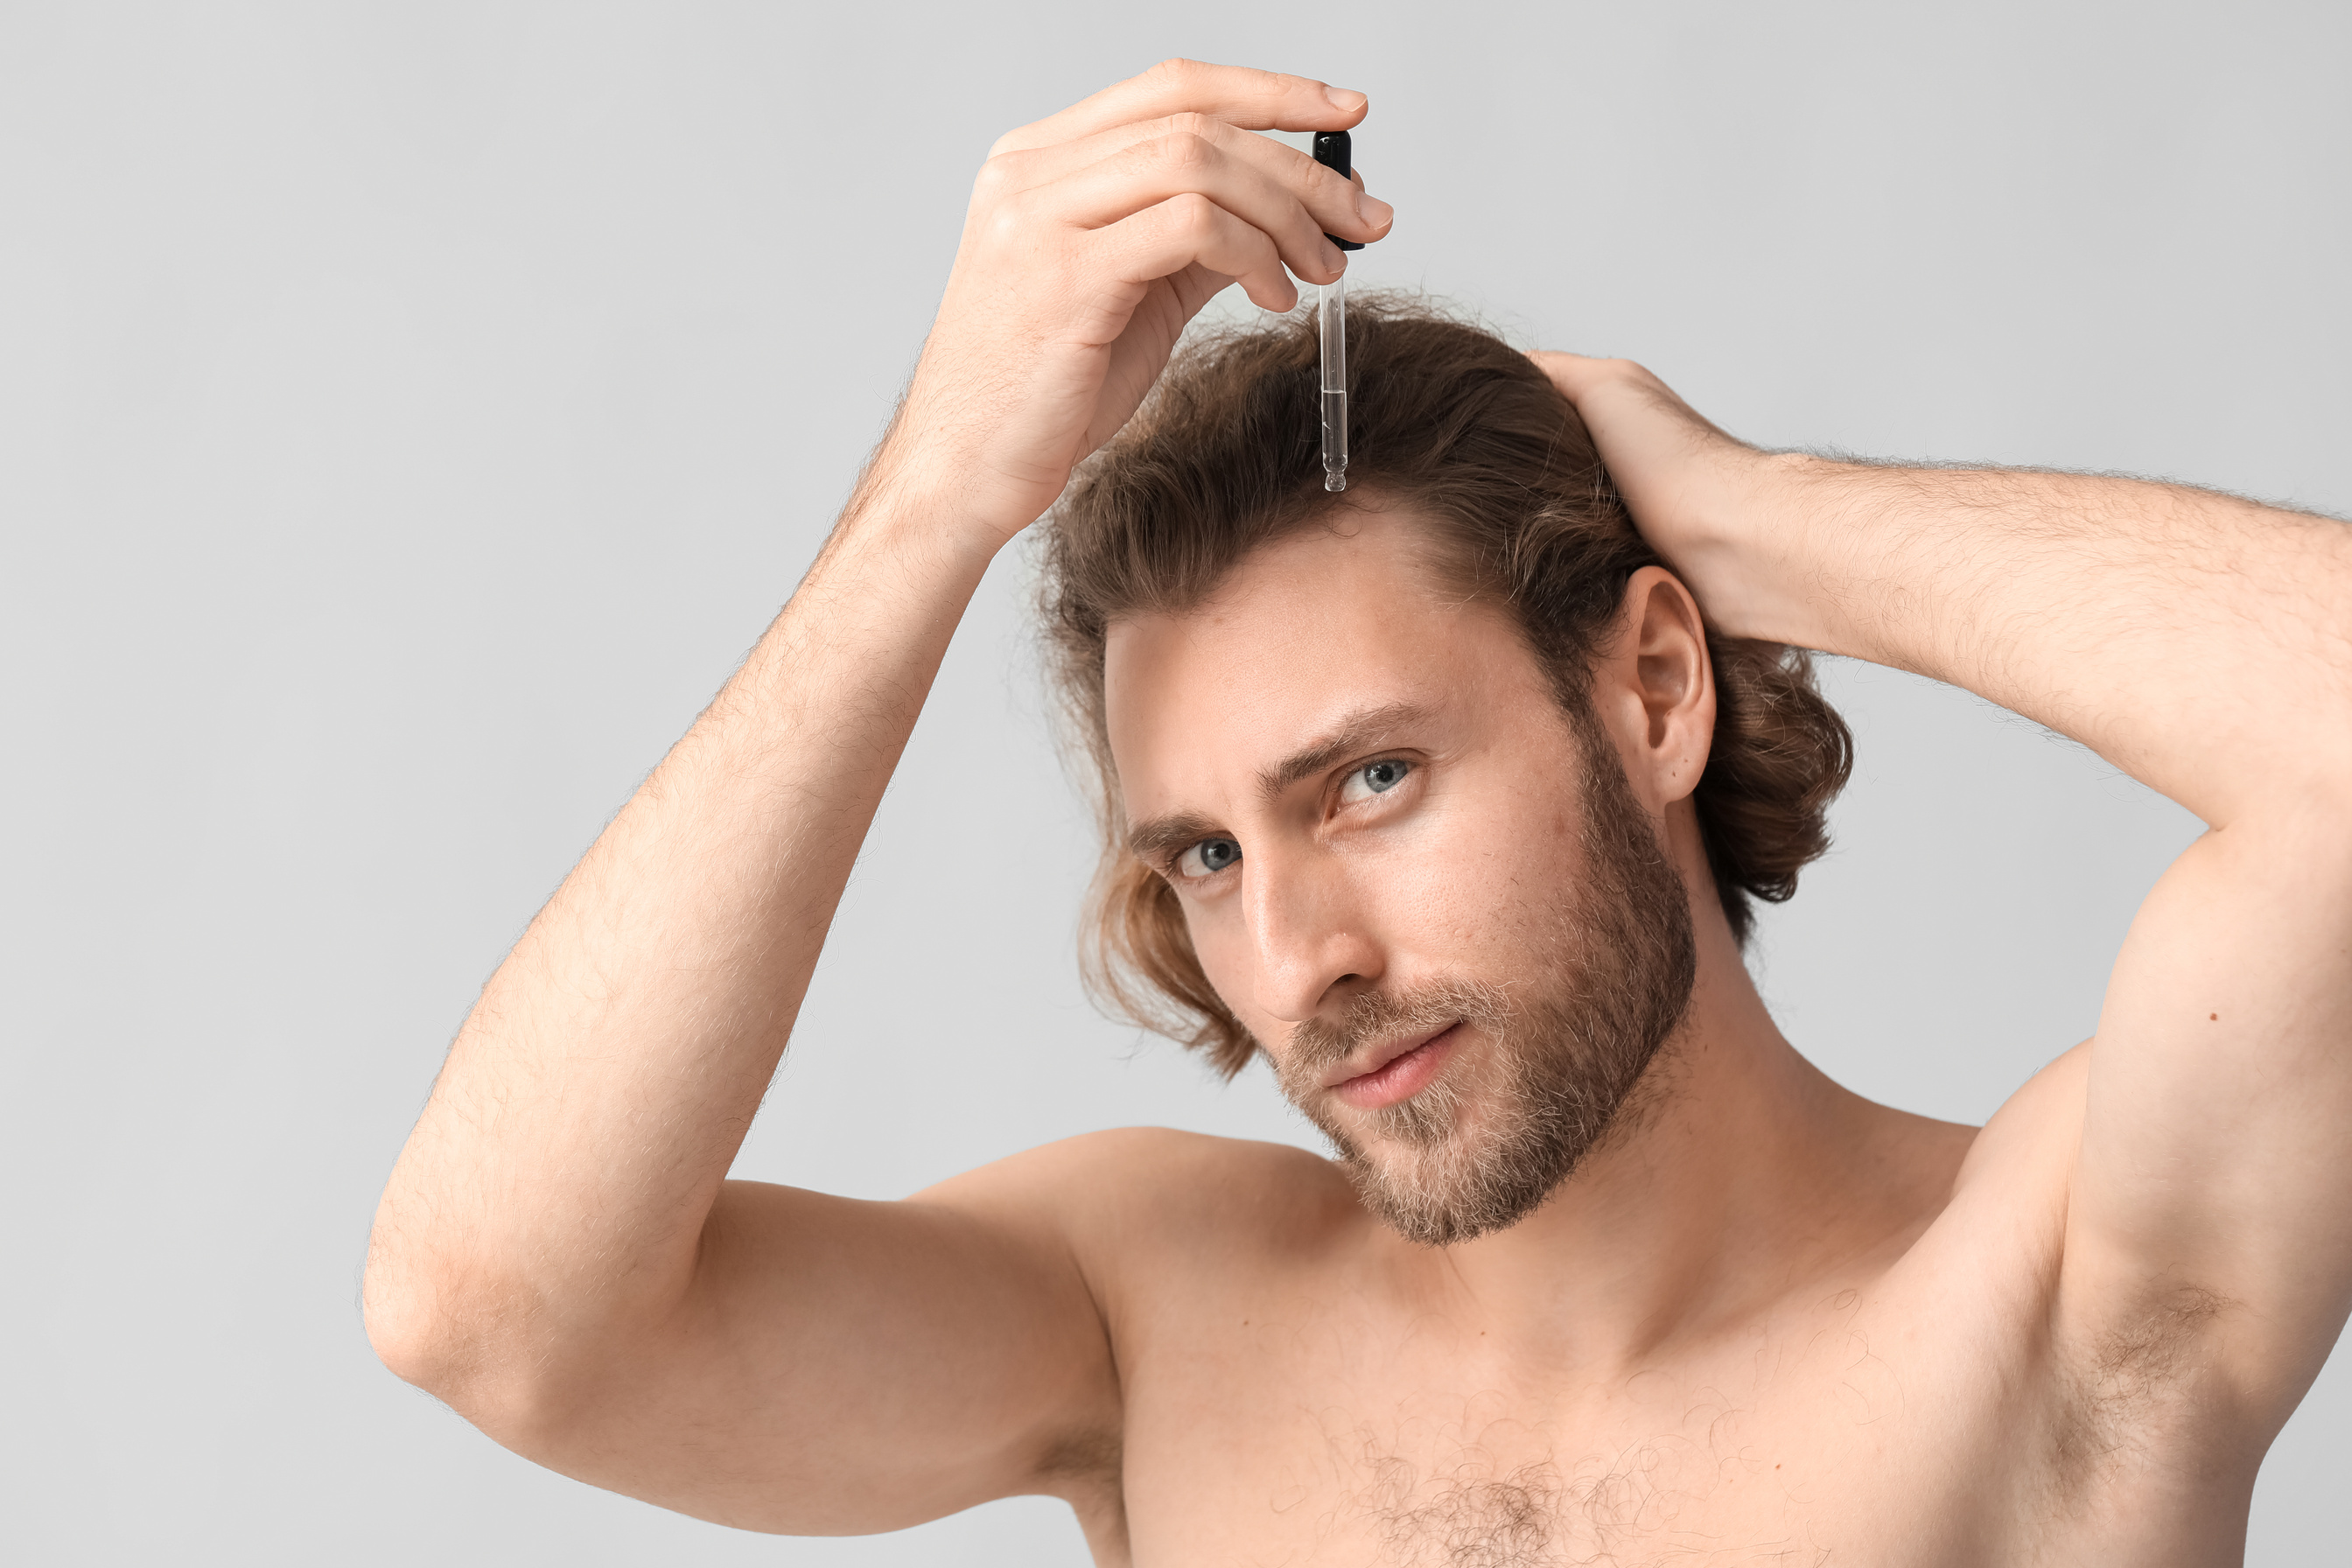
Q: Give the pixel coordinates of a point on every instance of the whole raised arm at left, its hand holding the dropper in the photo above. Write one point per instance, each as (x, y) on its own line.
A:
(561, 1254)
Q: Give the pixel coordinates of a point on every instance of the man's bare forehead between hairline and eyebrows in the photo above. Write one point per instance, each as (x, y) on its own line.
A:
(1330, 622)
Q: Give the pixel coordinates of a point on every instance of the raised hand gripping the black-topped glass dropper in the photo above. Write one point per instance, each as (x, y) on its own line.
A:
(1093, 239)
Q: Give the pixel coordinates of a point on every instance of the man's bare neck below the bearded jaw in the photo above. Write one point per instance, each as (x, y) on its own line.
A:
(1737, 1172)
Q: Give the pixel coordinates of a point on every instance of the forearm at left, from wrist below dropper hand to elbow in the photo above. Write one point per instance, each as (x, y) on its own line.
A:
(596, 1097)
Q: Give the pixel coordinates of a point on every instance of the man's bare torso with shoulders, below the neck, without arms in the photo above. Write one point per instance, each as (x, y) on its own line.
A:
(1302, 1388)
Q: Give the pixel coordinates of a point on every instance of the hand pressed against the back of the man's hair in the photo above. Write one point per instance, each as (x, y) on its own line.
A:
(1695, 492)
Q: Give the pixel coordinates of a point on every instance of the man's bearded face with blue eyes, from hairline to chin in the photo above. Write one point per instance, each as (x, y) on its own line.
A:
(1438, 906)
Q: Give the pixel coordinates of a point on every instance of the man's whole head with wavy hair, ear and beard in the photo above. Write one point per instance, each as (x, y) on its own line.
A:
(1412, 760)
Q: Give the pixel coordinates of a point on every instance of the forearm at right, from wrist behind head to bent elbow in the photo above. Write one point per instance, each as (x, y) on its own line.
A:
(2200, 643)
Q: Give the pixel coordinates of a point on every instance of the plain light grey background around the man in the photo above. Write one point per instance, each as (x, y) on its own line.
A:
(410, 413)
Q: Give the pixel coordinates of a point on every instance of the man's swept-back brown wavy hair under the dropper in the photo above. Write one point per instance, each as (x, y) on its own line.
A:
(1464, 431)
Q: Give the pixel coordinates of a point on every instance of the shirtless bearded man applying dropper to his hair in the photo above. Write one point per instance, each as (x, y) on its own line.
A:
(1450, 796)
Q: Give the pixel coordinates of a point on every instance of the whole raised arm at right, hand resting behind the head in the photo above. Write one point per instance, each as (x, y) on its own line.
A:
(2203, 645)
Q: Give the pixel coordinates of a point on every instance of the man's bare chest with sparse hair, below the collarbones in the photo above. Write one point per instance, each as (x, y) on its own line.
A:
(1415, 1447)
